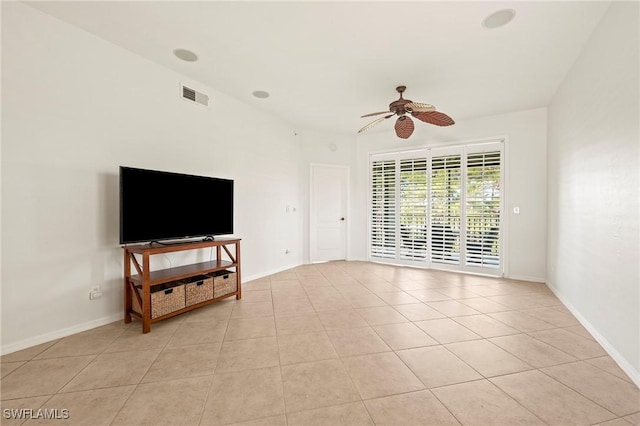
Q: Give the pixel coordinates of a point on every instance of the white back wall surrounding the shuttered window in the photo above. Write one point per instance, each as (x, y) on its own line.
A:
(525, 160)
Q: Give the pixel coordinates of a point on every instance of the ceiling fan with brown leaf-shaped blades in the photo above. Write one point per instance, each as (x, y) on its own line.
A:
(402, 107)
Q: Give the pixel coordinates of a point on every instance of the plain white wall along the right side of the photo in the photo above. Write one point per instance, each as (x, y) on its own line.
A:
(593, 255)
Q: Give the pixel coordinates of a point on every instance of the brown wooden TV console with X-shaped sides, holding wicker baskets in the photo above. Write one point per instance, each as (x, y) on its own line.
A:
(139, 284)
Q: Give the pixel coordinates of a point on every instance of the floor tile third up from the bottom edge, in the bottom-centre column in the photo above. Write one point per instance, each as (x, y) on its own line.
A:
(308, 347)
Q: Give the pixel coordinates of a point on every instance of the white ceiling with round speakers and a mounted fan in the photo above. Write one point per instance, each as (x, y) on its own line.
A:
(327, 63)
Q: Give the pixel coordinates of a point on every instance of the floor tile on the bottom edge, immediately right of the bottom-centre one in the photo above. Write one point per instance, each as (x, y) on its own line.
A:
(414, 408)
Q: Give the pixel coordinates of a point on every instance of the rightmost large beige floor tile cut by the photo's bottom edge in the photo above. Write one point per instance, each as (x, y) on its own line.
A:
(550, 400)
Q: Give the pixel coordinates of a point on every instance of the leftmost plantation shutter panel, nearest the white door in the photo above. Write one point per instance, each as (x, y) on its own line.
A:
(383, 208)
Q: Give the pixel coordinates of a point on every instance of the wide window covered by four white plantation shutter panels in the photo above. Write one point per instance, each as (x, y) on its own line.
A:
(438, 207)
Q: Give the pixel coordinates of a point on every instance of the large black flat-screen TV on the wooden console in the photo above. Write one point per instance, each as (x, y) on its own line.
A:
(157, 205)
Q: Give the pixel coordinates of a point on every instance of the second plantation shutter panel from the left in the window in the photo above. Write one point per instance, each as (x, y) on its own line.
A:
(413, 209)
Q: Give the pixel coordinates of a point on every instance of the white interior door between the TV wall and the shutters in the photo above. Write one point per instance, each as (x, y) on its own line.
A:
(329, 220)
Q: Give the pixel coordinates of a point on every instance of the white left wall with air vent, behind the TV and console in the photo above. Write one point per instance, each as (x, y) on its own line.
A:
(74, 108)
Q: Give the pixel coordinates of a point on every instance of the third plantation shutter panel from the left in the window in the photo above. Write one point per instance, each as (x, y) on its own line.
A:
(446, 183)
